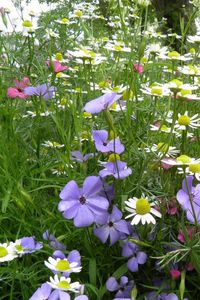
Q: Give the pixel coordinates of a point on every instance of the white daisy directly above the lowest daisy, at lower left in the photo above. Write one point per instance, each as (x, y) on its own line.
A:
(62, 265)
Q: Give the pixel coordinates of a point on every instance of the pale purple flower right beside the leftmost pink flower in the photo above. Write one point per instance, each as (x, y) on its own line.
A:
(42, 90)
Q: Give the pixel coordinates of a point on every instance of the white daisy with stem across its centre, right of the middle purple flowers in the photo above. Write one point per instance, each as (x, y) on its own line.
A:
(163, 149)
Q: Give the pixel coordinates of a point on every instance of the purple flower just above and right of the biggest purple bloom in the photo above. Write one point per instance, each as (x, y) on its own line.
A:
(118, 169)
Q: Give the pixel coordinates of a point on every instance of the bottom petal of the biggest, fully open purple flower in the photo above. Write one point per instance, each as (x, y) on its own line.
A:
(84, 217)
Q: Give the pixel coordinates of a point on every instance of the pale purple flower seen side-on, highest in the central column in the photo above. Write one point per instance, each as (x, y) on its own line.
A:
(101, 103)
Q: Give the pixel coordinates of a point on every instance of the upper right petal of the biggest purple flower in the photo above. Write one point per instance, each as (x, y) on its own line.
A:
(92, 185)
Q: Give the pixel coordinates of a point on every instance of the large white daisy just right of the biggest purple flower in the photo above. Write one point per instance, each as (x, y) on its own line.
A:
(141, 211)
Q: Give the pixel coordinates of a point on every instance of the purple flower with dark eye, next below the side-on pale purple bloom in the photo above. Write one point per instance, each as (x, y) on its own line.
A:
(103, 145)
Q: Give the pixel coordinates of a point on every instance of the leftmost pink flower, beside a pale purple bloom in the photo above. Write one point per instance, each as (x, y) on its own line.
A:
(18, 90)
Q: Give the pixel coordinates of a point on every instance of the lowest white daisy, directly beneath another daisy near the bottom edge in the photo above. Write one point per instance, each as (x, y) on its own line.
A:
(64, 284)
